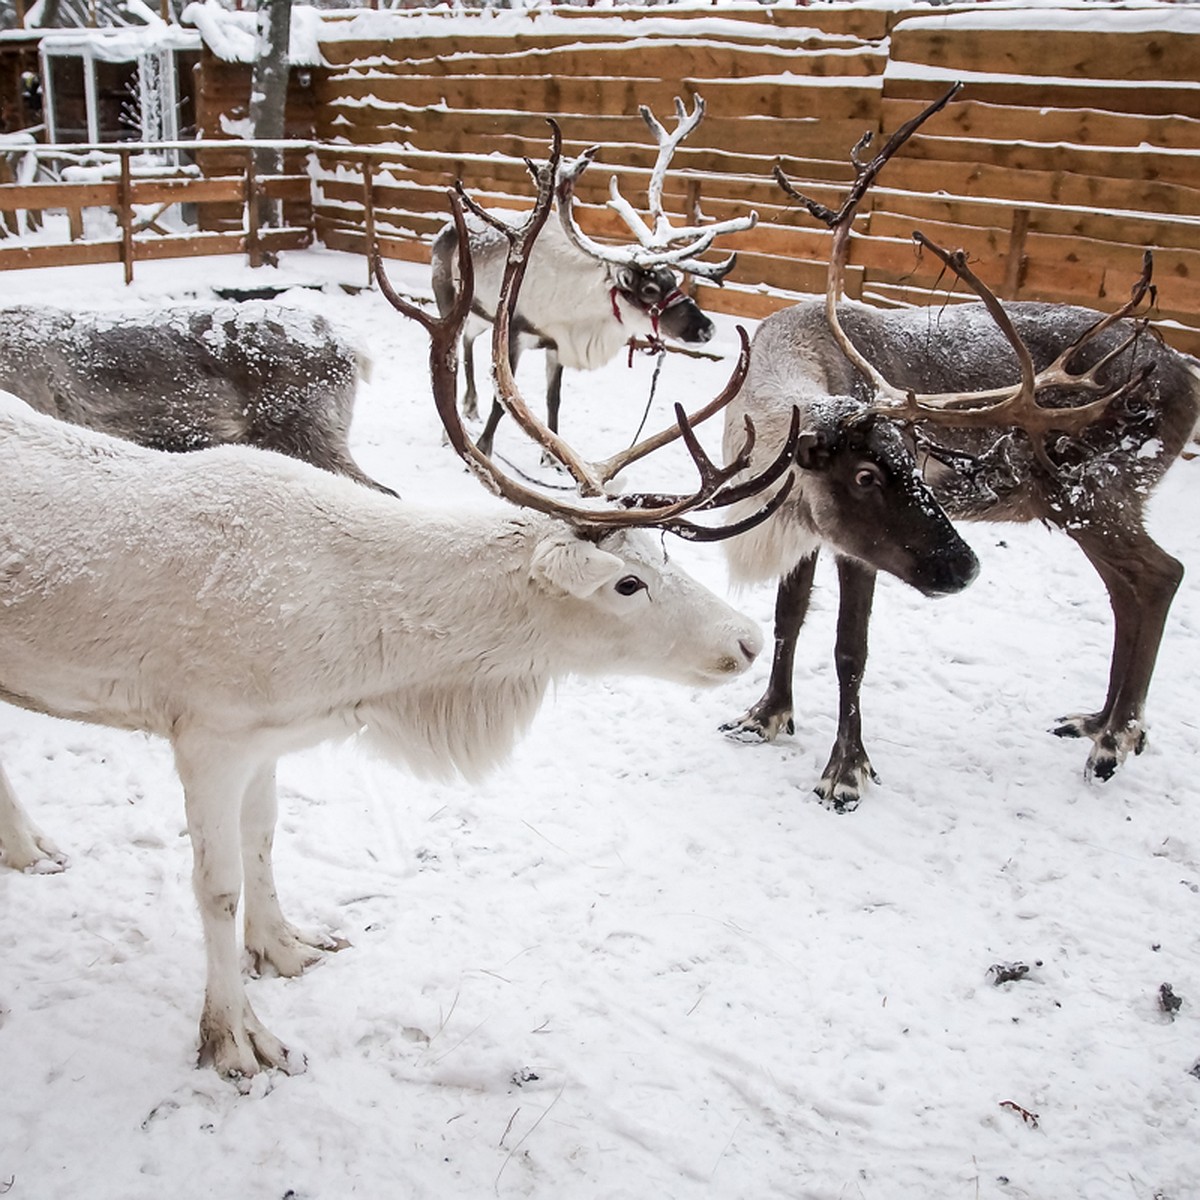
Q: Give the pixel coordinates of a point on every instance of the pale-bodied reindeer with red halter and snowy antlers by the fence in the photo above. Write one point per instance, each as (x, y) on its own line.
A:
(583, 302)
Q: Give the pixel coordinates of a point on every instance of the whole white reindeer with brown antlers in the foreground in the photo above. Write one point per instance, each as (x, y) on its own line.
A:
(244, 605)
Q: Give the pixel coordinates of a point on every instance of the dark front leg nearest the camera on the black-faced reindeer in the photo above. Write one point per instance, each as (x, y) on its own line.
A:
(849, 769)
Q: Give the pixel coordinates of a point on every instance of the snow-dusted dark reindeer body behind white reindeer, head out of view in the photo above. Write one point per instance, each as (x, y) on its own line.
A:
(189, 376)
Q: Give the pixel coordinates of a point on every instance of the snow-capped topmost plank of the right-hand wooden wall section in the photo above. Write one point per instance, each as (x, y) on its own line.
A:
(1093, 53)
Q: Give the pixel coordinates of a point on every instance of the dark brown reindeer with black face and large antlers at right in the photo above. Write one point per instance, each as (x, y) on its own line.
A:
(1100, 410)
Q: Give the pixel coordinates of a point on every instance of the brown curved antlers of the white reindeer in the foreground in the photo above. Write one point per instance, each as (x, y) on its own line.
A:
(637, 511)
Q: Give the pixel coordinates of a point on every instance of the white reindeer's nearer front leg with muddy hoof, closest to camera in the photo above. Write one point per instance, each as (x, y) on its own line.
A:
(217, 775)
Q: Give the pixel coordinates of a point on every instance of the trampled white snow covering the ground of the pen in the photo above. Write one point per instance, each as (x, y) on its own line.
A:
(644, 961)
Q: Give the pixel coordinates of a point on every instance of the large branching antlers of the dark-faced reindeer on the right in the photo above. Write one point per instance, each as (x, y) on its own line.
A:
(1015, 405)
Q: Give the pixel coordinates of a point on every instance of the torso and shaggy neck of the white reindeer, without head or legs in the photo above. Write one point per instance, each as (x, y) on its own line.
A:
(129, 619)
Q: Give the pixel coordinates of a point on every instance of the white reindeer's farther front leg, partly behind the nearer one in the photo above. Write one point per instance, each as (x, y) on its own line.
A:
(271, 938)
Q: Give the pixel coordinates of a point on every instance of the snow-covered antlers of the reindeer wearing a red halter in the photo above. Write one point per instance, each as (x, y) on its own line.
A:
(659, 243)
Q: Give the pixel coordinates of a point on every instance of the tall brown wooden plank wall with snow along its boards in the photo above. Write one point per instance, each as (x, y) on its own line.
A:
(1075, 147)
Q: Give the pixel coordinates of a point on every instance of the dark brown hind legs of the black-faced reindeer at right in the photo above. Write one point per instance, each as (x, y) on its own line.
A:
(1142, 580)
